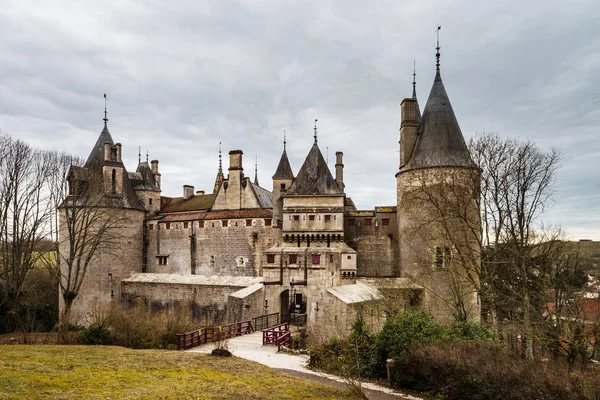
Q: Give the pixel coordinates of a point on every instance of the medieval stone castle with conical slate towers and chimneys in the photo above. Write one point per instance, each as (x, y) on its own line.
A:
(299, 248)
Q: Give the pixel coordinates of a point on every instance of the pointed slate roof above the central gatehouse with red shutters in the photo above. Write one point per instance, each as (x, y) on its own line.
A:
(314, 176)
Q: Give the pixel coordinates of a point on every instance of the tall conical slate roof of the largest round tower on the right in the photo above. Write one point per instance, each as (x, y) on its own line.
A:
(439, 141)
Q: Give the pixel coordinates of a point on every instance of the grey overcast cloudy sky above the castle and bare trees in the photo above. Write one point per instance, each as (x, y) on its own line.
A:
(181, 76)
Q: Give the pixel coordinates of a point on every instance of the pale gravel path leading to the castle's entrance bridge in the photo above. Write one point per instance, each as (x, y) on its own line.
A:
(250, 347)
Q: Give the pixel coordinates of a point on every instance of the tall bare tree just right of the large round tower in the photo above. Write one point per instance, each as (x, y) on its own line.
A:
(517, 186)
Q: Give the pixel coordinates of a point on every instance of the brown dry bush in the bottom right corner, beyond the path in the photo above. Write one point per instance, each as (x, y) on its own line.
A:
(484, 370)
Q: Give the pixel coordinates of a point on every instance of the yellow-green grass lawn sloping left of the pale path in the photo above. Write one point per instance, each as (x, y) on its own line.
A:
(102, 372)
